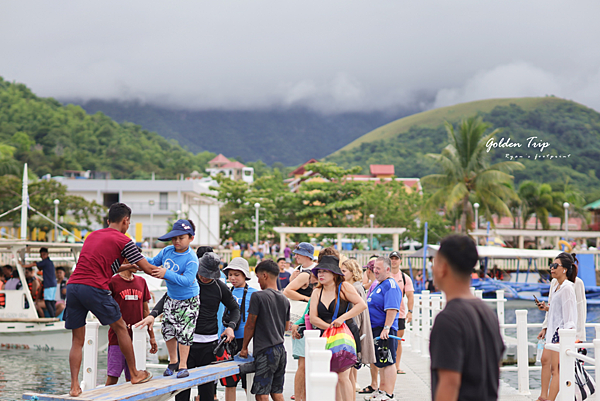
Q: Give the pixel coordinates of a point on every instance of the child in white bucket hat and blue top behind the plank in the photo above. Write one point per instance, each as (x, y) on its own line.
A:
(238, 272)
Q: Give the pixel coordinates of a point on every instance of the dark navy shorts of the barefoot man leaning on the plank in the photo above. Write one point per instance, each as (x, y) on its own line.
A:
(82, 299)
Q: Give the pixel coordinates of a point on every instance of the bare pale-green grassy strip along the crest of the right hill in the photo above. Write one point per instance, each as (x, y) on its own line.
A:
(434, 118)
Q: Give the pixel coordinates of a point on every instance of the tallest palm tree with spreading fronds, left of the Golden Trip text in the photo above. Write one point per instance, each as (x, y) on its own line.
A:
(467, 175)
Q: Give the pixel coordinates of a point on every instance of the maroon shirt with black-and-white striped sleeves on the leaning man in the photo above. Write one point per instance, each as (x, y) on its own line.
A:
(102, 254)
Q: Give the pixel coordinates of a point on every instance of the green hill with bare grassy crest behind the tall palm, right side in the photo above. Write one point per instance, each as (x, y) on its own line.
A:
(571, 131)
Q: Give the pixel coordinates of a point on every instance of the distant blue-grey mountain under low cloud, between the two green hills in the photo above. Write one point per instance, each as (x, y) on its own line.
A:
(288, 136)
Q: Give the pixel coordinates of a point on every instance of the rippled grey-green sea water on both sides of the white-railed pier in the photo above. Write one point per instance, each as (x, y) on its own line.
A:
(48, 371)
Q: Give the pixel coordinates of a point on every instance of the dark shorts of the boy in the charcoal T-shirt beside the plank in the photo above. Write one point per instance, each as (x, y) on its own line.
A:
(270, 371)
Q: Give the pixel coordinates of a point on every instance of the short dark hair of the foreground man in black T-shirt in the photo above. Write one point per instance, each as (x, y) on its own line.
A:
(461, 253)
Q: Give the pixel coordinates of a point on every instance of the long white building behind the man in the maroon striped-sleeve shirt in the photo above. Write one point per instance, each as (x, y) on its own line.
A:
(154, 201)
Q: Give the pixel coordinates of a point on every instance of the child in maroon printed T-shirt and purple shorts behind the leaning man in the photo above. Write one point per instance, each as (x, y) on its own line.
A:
(132, 295)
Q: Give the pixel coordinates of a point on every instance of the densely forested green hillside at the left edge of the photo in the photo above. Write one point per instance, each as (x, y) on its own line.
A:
(53, 138)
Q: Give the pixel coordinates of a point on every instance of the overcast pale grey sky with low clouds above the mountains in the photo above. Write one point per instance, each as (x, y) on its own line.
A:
(330, 56)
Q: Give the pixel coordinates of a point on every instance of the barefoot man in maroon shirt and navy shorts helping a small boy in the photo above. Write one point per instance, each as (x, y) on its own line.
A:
(101, 257)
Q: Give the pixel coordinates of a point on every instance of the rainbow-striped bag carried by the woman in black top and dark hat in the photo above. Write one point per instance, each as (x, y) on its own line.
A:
(341, 343)
